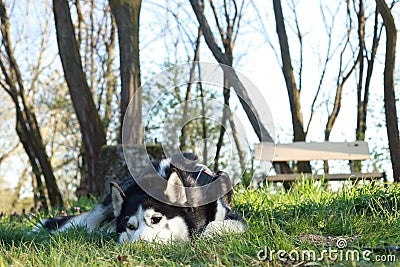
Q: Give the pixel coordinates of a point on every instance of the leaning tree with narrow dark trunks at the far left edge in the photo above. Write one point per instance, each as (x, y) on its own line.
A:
(27, 126)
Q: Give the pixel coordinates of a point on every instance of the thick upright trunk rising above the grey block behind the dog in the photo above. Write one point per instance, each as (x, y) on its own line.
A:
(127, 14)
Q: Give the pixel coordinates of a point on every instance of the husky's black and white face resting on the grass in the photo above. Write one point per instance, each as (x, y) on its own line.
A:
(139, 216)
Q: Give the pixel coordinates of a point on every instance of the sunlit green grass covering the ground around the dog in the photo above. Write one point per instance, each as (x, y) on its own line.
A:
(307, 217)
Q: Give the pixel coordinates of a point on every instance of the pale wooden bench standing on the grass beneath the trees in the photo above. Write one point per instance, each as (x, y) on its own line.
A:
(302, 151)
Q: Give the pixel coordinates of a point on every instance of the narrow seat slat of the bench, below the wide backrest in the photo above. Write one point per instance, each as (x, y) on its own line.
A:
(327, 176)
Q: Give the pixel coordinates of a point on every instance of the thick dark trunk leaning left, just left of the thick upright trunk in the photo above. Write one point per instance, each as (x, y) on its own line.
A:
(93, 135)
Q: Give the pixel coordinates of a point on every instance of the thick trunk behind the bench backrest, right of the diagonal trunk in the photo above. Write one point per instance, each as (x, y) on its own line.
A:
(293, 92)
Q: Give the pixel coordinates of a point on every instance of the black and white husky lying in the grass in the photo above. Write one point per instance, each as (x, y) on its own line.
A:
(174, 215)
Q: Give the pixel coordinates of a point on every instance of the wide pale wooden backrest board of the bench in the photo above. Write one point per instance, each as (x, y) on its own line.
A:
(302, 151)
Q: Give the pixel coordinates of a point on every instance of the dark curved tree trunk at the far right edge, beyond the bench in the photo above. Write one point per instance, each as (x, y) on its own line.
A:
(389, 94)
